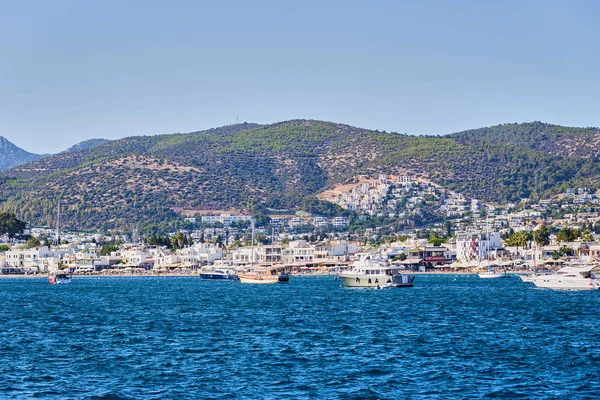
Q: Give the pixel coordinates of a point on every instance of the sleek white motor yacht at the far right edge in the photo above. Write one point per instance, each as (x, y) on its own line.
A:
(585, 277)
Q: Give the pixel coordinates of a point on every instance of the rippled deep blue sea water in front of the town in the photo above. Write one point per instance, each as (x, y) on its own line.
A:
(154, 338)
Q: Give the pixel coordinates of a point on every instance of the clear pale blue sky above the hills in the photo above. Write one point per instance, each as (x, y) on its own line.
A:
(76, 70)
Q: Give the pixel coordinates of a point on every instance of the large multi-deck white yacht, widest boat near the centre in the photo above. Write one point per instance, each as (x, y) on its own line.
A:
(369, 273)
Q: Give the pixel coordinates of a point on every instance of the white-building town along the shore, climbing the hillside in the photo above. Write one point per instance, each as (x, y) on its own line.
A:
(469, 234)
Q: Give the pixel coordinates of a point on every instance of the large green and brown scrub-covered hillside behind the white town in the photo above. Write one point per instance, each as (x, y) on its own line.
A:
(156, 179)
